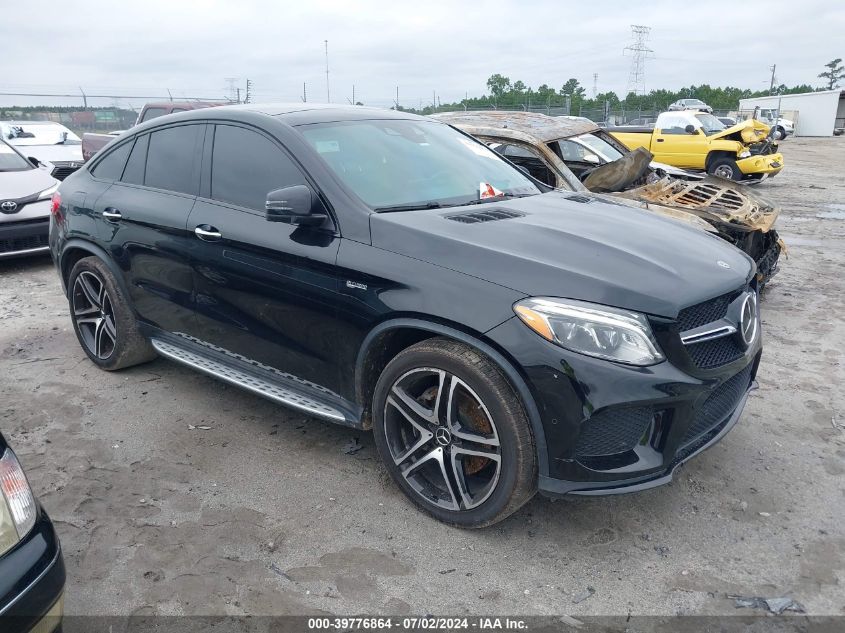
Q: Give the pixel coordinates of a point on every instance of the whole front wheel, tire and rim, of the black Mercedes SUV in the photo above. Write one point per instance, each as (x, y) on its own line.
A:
(473, 375)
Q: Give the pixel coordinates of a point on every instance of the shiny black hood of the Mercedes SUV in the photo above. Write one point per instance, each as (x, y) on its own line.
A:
(572, 246)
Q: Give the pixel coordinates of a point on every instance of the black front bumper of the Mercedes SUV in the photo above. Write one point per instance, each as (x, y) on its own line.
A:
(611, 428)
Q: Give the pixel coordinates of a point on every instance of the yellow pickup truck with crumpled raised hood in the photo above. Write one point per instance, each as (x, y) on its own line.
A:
(698, 140)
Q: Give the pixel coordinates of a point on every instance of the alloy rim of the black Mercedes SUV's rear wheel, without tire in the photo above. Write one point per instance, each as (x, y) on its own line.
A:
(94, 315)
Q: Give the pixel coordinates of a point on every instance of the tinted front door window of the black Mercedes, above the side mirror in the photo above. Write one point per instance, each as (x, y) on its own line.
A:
(246, 166)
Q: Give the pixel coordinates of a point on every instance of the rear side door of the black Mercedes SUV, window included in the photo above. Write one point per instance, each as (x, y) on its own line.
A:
(143, 218)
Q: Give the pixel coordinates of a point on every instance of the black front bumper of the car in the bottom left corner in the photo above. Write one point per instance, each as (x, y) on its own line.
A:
(32, 581)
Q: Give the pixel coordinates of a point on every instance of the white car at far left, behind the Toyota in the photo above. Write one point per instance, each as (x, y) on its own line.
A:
(48, 142)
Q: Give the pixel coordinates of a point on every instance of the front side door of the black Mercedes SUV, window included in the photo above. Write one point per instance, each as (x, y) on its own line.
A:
(265, 291)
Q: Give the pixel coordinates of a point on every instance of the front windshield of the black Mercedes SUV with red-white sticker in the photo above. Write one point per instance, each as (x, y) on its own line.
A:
(397, 163)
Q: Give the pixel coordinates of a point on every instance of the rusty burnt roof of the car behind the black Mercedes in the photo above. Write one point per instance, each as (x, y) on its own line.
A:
(531, 126)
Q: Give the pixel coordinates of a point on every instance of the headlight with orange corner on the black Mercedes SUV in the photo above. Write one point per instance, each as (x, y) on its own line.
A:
(592, 329)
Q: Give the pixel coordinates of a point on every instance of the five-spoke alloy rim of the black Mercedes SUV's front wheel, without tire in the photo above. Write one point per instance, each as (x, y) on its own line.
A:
(442, 439)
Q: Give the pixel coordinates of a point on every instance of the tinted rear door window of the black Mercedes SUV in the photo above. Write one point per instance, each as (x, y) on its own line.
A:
(171, 157)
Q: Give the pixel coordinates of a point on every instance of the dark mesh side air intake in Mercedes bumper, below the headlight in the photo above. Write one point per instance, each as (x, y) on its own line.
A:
(613, 431)
